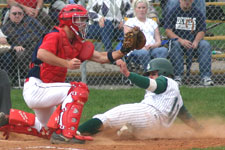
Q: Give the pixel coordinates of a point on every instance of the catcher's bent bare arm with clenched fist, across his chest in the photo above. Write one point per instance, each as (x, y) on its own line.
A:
(50, 58)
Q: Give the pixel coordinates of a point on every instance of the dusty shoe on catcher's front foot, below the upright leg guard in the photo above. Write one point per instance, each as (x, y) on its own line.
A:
(60, 139)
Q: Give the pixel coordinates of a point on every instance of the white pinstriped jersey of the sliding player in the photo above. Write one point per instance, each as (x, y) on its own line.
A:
(167, 104)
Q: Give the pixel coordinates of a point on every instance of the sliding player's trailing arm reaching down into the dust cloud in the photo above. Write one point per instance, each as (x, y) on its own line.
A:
(187, 118)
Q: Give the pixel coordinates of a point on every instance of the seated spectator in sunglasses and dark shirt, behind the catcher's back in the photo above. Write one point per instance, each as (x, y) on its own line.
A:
(22, 33)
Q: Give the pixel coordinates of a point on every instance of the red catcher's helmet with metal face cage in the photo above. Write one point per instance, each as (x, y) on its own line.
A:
(75, 17)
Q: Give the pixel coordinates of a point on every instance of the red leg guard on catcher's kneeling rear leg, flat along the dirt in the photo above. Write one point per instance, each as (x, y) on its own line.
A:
(22, 122)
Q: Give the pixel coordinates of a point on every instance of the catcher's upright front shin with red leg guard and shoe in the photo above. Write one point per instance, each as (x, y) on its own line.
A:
(68, 117)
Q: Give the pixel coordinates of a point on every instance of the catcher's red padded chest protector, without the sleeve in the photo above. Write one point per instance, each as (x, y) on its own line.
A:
(66, 50)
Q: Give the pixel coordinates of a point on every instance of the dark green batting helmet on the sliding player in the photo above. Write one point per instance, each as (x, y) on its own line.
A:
(162, 65)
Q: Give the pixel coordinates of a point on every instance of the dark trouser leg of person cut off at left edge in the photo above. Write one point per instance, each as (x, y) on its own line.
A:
(5, 99)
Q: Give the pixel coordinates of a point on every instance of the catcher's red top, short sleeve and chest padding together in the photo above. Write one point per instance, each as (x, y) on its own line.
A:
(58, 44)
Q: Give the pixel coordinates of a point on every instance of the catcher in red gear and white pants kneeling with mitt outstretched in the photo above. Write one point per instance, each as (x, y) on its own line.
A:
(62, 49)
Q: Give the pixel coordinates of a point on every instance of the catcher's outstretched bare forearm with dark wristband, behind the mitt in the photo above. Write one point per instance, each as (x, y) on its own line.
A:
(106, 57)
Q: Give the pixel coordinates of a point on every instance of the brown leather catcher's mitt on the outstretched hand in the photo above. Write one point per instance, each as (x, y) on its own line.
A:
(134, 39)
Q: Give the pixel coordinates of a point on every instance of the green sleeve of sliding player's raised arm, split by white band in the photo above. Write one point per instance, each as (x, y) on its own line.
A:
(143, 82)
